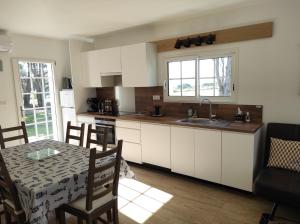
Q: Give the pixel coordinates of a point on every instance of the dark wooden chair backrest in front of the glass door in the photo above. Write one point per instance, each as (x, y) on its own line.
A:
(13, 138)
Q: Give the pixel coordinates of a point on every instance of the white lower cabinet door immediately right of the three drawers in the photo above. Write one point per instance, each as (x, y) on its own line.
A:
(155, 141)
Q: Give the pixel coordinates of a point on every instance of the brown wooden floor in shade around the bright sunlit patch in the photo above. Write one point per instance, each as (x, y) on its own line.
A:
(200, 202)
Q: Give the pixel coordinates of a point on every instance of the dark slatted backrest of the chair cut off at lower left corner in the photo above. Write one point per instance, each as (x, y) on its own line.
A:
(8, 189)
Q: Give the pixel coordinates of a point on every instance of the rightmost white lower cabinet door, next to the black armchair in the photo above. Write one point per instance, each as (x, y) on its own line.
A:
(237, 160)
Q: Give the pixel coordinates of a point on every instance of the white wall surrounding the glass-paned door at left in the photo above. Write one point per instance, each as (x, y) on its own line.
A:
(32, 48)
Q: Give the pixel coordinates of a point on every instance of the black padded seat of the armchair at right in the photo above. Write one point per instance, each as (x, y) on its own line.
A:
(279, 185)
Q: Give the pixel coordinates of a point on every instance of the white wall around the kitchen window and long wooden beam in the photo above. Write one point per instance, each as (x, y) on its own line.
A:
(269, 69)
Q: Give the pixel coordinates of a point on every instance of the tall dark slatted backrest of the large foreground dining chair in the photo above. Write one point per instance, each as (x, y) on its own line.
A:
(109, 184)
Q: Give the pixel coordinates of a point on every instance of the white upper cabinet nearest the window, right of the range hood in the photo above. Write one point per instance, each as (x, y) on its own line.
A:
(139, 65)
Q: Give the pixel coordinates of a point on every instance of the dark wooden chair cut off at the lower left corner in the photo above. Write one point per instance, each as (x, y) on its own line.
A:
(10, 198)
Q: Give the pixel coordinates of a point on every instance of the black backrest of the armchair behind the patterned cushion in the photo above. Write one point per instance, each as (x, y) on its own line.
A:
(282, 131)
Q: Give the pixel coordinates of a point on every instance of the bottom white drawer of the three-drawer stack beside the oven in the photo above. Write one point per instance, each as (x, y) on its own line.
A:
(132, 152)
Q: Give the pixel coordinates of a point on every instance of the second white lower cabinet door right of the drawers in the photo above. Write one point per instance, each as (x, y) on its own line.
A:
(183, 150)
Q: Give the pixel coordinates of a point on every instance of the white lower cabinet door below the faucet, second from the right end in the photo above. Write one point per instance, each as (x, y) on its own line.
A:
(208, 155)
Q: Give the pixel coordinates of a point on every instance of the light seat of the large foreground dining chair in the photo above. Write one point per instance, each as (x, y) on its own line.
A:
(80, 203)
